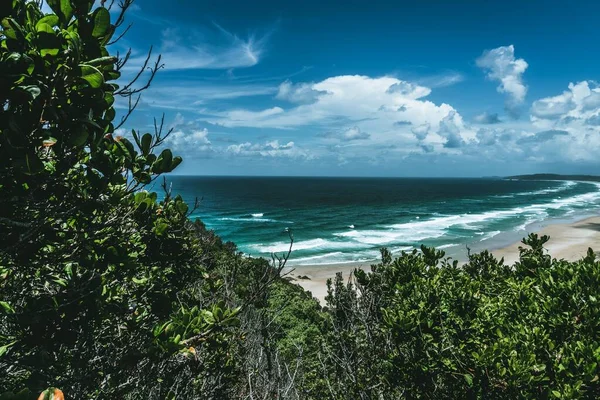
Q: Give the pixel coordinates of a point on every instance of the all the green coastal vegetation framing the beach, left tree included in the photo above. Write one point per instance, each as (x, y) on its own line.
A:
(108, 290)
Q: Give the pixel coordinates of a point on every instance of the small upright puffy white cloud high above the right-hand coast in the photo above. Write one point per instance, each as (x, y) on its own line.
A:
(501, 65)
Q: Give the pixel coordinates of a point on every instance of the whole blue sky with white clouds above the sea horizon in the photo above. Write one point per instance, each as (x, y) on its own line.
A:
(372, 88)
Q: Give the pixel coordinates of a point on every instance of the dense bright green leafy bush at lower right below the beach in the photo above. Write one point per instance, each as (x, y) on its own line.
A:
(421, 326)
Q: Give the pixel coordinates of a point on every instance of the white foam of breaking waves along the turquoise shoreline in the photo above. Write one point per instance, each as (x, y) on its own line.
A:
(357, 244)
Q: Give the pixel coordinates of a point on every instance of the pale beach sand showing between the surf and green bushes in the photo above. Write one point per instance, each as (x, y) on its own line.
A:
(568, 241)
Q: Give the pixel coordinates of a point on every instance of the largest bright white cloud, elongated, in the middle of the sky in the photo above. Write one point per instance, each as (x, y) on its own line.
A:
(374, 105)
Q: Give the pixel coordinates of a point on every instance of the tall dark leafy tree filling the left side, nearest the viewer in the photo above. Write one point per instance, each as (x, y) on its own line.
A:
(96, 274)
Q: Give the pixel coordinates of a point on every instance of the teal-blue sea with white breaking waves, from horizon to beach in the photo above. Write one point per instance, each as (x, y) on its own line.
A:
(340, 220)
